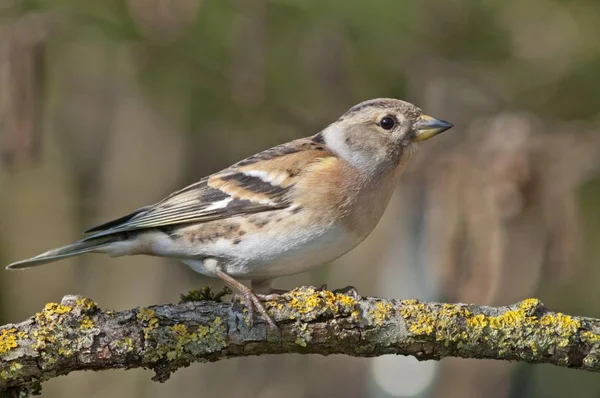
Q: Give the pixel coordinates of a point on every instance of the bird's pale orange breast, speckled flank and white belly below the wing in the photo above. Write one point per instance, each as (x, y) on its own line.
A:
(330, 215)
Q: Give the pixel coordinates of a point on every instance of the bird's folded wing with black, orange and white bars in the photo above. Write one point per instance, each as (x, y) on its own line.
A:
(256, 184)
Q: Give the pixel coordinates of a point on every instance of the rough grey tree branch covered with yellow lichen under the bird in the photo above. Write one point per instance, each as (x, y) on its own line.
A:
(77, 335)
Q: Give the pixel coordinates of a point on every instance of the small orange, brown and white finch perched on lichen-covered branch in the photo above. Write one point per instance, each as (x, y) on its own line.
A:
(279, 212)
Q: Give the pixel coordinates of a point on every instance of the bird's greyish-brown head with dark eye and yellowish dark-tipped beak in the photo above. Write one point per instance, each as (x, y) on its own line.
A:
(378, 134)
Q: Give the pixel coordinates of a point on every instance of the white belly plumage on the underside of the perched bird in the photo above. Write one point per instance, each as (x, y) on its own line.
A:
(272, 255)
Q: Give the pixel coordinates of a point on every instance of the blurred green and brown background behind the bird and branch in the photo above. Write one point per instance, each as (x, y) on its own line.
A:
(109, 105)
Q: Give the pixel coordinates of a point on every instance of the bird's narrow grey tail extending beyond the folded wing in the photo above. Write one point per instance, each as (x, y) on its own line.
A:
(75, 249)
